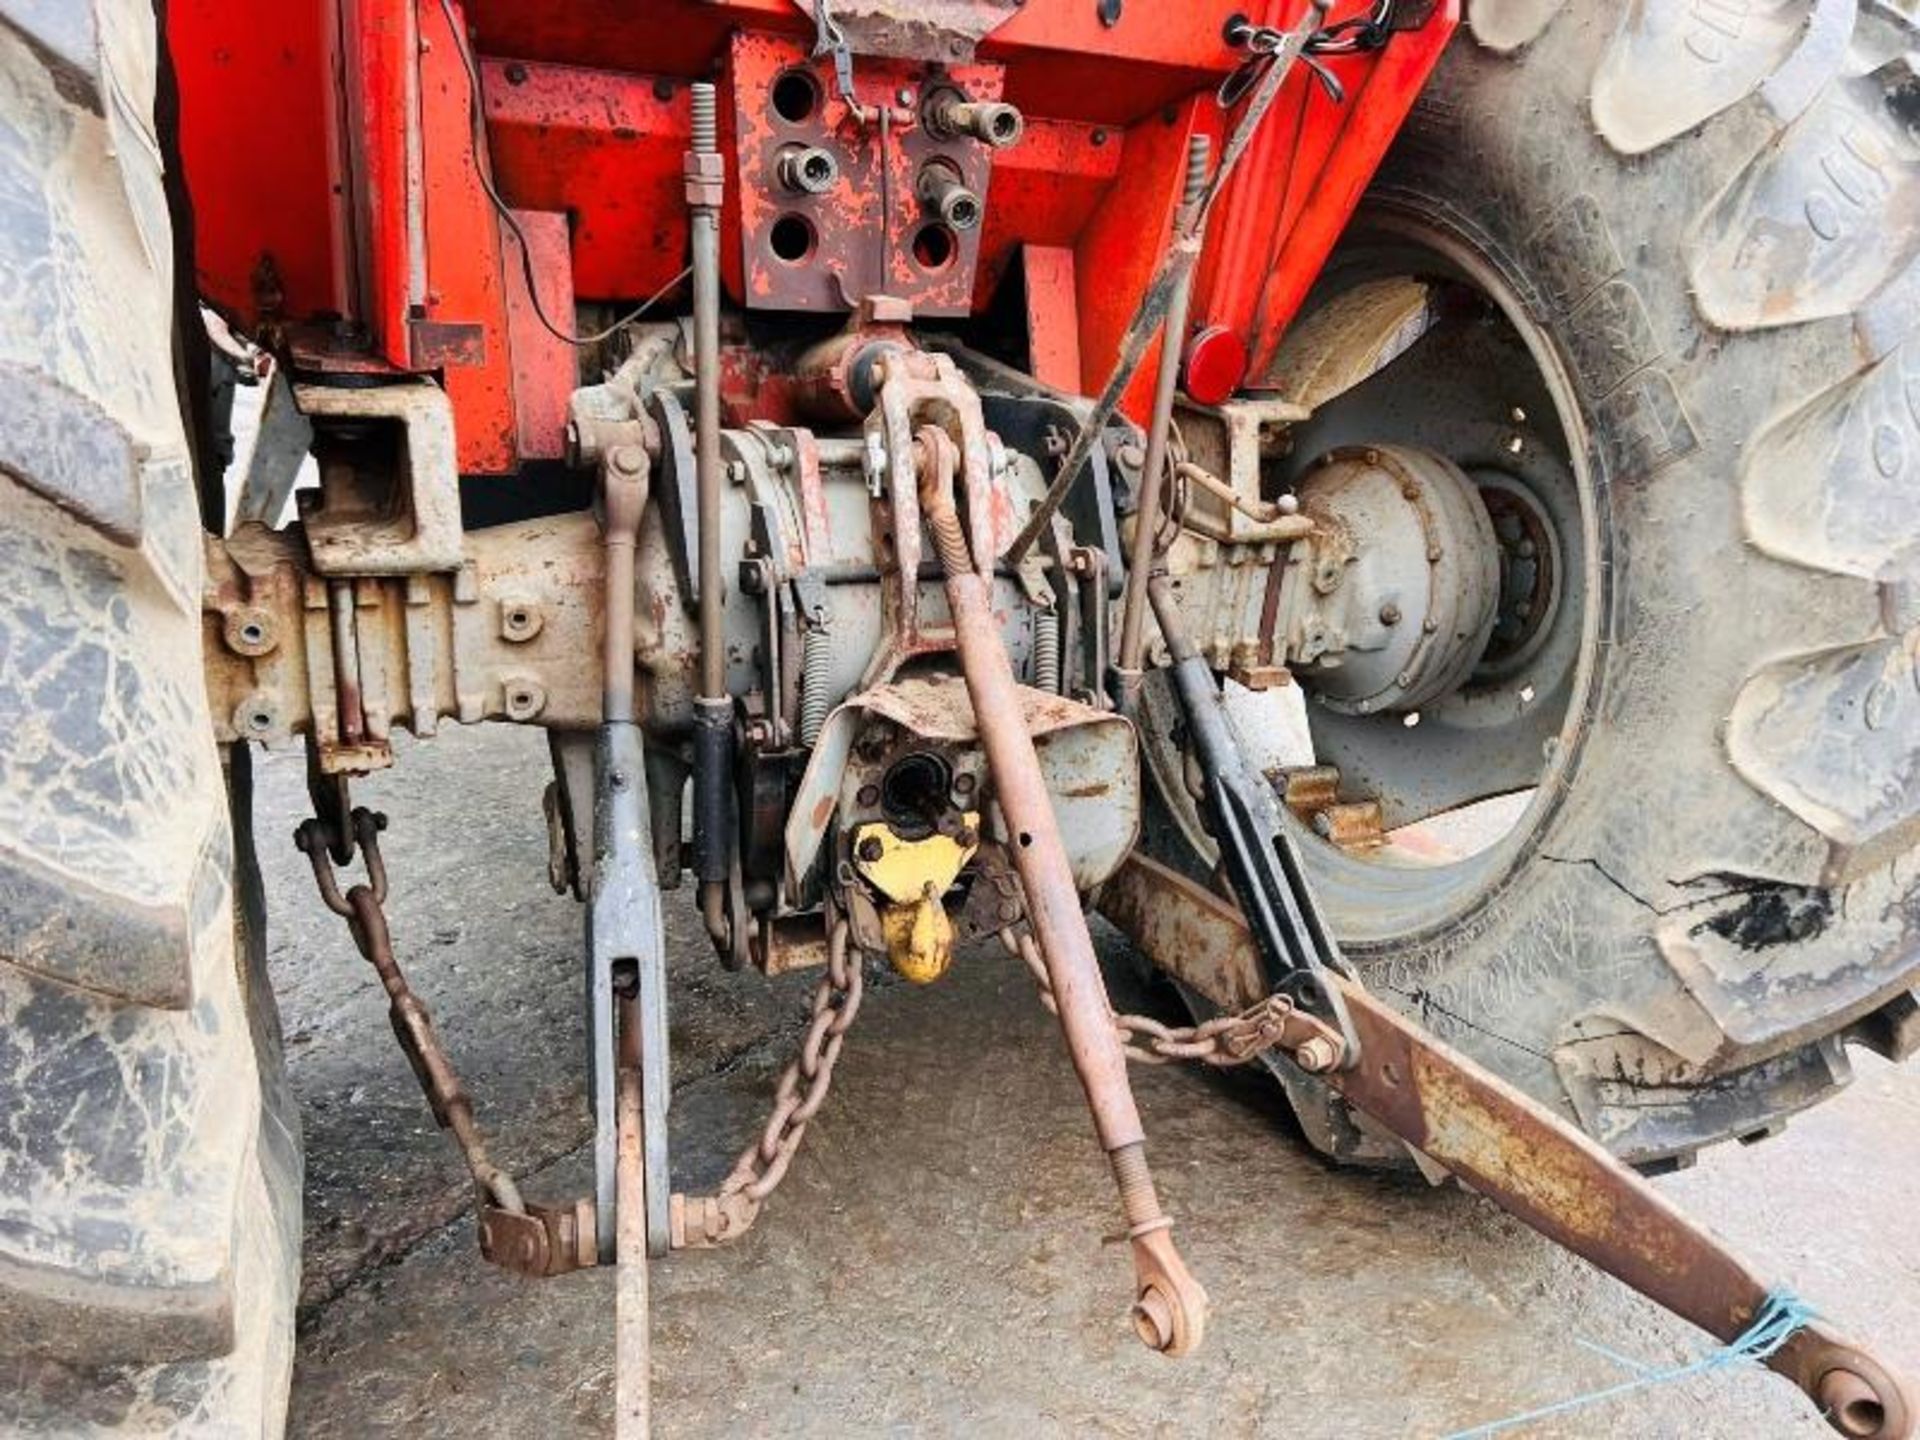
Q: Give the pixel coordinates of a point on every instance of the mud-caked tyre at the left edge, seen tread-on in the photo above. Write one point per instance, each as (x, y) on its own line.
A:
(149, 1159)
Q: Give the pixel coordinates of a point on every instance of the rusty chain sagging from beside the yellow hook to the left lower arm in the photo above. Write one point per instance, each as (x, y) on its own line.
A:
(725, 1216)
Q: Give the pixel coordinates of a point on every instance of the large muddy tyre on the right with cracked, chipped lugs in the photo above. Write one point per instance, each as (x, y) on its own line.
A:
(1708, 233)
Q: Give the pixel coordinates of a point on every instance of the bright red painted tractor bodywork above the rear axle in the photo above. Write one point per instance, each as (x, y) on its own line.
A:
(339, 195)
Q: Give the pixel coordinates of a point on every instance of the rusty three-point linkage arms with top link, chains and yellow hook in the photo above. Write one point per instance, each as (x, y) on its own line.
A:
(1268, 961)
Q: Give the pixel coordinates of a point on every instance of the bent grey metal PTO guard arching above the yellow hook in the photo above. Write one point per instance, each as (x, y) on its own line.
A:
(1090, 761)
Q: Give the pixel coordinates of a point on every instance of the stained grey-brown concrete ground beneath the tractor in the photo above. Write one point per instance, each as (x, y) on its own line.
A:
(936, 1262)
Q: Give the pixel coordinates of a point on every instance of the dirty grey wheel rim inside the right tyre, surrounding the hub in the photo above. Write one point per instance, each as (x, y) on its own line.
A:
(1468, 782)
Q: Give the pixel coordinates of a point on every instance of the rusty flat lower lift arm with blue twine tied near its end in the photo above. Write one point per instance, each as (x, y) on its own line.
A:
(1516, 1153)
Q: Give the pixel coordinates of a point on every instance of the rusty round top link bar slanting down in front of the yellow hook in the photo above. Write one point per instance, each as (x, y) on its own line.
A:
(1170, 1307)
